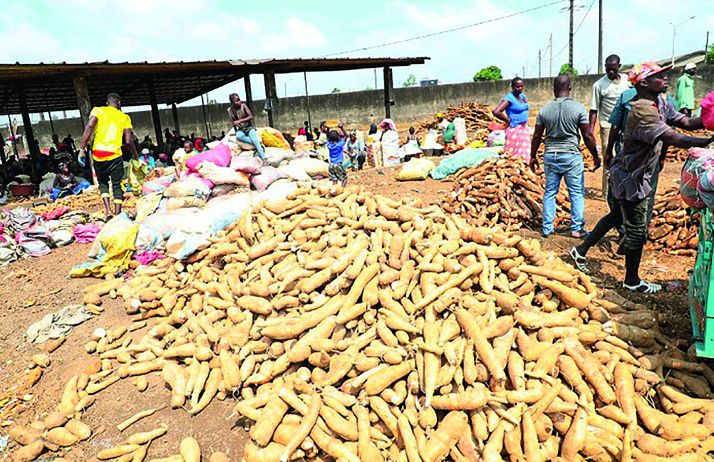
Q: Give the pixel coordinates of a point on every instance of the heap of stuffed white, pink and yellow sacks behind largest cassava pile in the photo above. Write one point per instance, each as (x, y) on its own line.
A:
(180, 211)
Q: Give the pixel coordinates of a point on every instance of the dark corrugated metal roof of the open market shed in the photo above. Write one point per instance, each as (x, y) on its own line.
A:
(49, 86)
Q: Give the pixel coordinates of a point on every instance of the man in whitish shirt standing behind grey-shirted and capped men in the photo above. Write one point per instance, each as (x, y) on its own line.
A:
(606, 91)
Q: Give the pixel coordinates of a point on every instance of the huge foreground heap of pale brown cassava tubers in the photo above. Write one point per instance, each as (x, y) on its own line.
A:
(357, 327)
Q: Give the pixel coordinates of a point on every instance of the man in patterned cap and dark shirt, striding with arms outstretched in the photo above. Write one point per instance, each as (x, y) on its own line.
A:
(646, 132)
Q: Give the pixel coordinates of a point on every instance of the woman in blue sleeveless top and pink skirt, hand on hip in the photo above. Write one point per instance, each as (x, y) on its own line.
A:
(518, 134)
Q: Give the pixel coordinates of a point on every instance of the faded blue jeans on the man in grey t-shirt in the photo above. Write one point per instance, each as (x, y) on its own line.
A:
(568, 166)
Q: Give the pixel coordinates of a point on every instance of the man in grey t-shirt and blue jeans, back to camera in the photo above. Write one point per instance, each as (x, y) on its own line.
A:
(563, 121)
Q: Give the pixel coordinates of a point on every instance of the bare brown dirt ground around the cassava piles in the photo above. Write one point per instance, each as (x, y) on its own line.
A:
(32, 288)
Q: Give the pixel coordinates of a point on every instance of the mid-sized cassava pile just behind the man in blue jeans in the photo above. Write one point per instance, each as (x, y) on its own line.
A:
(502, 191)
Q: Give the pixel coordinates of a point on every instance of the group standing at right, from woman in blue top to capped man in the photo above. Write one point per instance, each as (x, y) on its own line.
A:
(635, 125)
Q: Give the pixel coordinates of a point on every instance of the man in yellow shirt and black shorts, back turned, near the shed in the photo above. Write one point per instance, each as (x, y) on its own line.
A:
(111, 129)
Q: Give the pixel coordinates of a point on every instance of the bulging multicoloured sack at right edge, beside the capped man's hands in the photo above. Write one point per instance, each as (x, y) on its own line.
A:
(697, 179)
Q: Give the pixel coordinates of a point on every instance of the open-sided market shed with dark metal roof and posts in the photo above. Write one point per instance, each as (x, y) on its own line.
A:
(34, 88)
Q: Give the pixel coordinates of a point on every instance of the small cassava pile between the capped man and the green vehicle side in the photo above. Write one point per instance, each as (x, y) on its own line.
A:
(674, 227)
